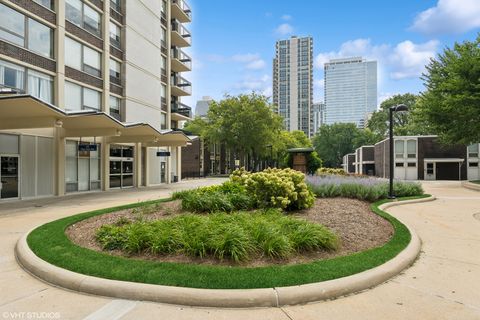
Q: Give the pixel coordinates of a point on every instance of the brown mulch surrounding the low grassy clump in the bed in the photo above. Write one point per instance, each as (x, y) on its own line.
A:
(351, 220)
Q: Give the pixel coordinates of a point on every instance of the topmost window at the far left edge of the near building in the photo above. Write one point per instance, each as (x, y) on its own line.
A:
(31, 35)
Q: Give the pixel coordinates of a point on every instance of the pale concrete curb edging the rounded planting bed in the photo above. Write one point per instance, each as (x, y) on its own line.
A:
(235, 298)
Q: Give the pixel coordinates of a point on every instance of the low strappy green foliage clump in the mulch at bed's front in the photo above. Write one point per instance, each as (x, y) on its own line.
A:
(238, 237)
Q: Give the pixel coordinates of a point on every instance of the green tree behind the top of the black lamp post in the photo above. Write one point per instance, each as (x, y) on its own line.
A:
(404, 122)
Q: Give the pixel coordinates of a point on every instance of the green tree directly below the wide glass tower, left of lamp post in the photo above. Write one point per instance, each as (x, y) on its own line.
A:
(334, 141)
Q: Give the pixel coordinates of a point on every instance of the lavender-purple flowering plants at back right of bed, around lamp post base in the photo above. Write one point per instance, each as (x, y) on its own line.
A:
(363, 188)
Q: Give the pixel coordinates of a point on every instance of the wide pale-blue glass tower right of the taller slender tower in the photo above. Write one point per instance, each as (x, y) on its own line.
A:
(350, 90)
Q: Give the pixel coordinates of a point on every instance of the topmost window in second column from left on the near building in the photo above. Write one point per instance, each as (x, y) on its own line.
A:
(83, 16)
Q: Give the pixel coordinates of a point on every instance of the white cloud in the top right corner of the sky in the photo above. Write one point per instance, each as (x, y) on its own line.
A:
(448, 17)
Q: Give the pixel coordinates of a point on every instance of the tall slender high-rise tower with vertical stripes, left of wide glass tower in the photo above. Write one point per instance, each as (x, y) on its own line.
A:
(293, 83)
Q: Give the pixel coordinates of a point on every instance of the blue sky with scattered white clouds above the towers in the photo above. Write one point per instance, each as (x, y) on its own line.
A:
(234, 41)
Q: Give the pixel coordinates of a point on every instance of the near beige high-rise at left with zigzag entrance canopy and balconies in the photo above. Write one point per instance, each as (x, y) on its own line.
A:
(91, 95)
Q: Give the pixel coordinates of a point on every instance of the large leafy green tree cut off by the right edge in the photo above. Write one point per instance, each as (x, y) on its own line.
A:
(450, 106)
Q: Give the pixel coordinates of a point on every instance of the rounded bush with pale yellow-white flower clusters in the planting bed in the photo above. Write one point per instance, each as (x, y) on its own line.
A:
(278, 188)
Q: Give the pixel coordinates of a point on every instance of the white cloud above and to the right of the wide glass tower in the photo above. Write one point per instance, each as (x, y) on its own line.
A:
(402, 61)
